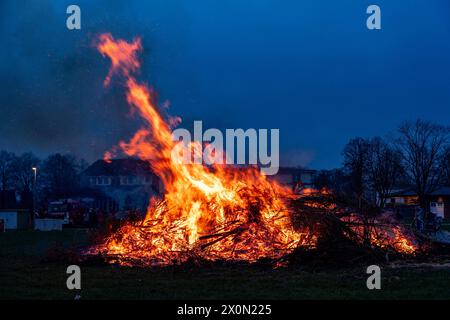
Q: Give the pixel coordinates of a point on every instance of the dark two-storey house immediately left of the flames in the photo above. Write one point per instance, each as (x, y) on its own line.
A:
(121, 185)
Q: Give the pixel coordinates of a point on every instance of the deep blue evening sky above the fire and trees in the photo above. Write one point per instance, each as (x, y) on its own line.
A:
(310, 68)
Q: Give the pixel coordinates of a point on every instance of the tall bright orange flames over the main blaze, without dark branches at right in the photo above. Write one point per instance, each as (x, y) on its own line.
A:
(211, 213)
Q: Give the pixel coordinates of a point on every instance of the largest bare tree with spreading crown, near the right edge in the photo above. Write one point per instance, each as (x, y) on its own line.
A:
(423, 145)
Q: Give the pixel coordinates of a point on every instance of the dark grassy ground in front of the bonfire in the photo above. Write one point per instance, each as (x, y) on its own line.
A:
(24, 274)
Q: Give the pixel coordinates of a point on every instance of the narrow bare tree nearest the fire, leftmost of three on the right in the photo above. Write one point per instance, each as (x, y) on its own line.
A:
(356, 153)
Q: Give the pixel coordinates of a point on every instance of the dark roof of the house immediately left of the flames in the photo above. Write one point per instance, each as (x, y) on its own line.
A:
(118, 167)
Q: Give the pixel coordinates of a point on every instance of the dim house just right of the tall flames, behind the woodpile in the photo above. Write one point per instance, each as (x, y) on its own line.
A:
(295, 177)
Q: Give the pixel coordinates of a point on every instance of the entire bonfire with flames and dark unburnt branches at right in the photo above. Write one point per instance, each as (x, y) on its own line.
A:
(220, 212)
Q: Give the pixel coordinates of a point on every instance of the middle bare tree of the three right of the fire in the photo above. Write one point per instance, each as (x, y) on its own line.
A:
(384, 168)
